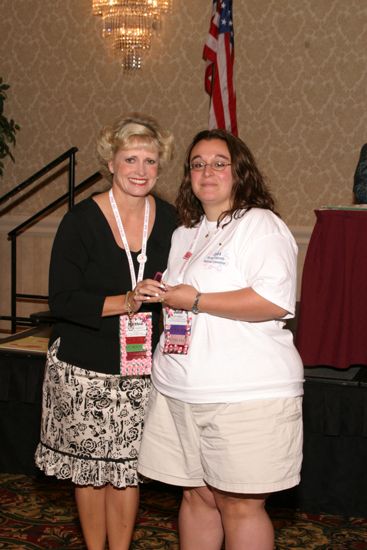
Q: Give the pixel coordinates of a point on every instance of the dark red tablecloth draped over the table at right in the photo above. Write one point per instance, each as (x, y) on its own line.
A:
(332, 325)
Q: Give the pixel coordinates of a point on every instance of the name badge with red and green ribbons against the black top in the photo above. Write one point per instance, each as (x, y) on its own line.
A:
(136, 344)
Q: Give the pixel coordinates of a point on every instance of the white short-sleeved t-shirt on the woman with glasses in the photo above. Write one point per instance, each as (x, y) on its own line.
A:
(231, 360)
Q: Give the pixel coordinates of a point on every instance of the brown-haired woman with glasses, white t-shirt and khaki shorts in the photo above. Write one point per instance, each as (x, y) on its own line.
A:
(225, 415)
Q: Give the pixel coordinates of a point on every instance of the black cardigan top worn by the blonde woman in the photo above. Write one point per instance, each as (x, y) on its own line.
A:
(86, 266)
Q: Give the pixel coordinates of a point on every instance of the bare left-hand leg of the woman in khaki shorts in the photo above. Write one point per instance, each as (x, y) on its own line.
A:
(200, 524)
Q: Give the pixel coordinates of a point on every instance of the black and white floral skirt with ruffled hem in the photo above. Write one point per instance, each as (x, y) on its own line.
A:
(91, 424)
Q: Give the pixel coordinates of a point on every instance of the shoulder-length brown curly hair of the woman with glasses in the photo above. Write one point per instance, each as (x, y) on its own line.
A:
(249, 188)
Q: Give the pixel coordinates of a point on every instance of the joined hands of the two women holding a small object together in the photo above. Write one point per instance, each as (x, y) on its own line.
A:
(177, 297)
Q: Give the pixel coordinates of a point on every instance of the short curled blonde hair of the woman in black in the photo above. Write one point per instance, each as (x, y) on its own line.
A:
(134, 129)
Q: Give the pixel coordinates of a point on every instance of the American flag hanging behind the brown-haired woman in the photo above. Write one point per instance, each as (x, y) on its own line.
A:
(219, 56)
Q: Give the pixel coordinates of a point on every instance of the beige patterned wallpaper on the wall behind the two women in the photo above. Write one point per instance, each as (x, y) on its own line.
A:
(300, 75)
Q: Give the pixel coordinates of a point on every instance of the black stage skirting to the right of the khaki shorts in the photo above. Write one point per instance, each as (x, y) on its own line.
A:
(333, 476)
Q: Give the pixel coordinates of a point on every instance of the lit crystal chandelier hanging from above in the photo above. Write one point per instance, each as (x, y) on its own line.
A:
(128, 26)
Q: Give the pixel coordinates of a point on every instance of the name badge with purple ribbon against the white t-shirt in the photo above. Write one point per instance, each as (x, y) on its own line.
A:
(177, 331)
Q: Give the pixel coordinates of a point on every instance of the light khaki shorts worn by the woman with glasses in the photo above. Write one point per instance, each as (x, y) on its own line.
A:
(252, 447)
